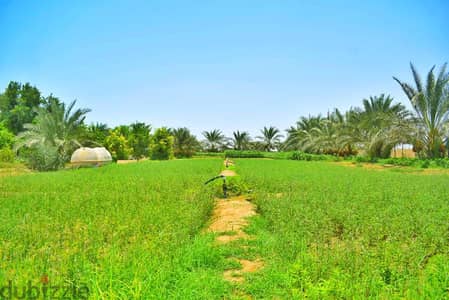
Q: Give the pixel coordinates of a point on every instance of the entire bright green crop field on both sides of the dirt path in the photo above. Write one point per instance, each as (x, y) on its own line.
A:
(324, 231)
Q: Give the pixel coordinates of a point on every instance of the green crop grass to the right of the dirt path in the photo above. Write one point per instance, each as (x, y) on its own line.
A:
(329, 231)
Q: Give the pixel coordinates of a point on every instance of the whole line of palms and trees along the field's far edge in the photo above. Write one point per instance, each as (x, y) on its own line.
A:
(44, 131)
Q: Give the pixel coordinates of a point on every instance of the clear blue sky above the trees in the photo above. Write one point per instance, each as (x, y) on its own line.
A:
(218, 64)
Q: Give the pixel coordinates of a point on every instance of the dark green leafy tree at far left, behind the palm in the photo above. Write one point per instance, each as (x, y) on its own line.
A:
(18, 105)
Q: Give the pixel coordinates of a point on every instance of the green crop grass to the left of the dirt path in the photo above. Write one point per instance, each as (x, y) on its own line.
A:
(122, 230)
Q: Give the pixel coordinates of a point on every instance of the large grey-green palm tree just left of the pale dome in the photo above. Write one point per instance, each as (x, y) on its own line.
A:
(58, 126)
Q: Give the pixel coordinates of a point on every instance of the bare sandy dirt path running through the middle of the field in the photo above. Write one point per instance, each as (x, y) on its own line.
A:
(229, 219)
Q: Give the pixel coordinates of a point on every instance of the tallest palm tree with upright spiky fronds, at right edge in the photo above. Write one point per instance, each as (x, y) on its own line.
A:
(431, 105)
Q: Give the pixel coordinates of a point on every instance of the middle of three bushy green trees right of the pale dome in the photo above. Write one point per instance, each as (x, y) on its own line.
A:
(139, 139)
